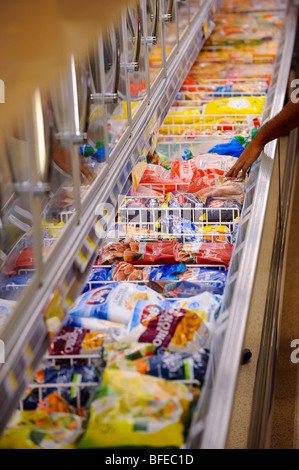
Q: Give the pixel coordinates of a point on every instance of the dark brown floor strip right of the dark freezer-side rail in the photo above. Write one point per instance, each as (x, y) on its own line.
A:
(285, 421)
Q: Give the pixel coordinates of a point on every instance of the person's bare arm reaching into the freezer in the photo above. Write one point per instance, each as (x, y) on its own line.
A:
(285, 121)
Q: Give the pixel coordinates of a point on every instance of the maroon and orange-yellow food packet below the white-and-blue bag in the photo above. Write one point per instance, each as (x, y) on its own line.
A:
(74, 341)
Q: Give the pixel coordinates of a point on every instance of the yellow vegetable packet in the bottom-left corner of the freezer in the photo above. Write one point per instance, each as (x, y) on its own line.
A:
(40, 429)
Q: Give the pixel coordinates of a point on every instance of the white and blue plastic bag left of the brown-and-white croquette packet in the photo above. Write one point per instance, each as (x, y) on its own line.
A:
(114, 302)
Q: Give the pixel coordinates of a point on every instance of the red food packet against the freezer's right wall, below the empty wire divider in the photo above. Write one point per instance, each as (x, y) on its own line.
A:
(206, 253)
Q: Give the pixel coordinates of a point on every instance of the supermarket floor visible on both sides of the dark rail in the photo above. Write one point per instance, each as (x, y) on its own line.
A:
(285, 413)
